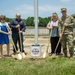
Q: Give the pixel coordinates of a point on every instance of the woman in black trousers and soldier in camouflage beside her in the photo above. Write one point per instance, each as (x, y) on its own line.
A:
(62, 29)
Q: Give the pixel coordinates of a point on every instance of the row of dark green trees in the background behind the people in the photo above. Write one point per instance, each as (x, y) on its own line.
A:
(30, 21)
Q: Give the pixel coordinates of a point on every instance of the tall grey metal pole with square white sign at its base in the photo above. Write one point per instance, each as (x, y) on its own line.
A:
(35, 49)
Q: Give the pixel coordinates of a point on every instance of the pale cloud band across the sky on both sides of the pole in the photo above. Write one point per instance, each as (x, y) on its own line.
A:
(27, 10)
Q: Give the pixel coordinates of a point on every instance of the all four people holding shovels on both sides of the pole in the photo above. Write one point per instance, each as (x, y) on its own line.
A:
(59, 29)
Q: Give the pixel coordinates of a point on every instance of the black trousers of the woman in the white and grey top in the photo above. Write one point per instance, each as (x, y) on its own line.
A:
(54, 41)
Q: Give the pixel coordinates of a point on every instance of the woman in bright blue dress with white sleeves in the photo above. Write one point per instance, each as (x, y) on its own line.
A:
(4, 38)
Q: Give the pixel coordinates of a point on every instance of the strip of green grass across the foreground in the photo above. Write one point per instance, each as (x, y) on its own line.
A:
(59, 66)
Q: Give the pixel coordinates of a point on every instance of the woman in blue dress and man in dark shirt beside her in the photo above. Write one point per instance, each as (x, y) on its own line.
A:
(17, 26)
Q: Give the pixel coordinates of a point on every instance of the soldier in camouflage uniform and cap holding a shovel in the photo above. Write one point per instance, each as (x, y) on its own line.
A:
(67, 22)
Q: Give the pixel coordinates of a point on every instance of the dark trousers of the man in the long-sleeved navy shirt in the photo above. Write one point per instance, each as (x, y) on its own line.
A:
(16, 39)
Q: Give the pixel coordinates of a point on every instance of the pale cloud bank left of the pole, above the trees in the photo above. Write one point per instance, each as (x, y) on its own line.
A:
(24, 10)
